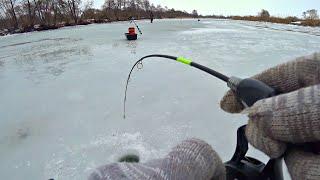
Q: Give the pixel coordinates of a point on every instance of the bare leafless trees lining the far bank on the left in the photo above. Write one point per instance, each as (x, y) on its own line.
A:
(28, 15)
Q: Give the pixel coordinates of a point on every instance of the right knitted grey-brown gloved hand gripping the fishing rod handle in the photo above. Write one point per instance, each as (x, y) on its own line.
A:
(290, 118)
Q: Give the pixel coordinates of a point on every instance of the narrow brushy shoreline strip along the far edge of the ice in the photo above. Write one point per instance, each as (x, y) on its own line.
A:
(39, 28)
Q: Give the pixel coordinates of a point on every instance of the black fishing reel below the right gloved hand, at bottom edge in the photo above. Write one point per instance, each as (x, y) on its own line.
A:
(242, 167)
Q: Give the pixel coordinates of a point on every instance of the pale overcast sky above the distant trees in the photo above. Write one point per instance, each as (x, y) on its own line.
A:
(238, 7)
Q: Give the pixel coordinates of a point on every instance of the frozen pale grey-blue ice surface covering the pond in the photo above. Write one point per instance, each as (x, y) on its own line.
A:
(61, 91)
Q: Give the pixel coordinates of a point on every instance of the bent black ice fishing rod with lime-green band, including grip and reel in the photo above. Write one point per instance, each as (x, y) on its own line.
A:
(248, 92)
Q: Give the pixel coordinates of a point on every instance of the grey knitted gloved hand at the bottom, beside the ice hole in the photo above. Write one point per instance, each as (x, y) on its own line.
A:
(191, 160)
